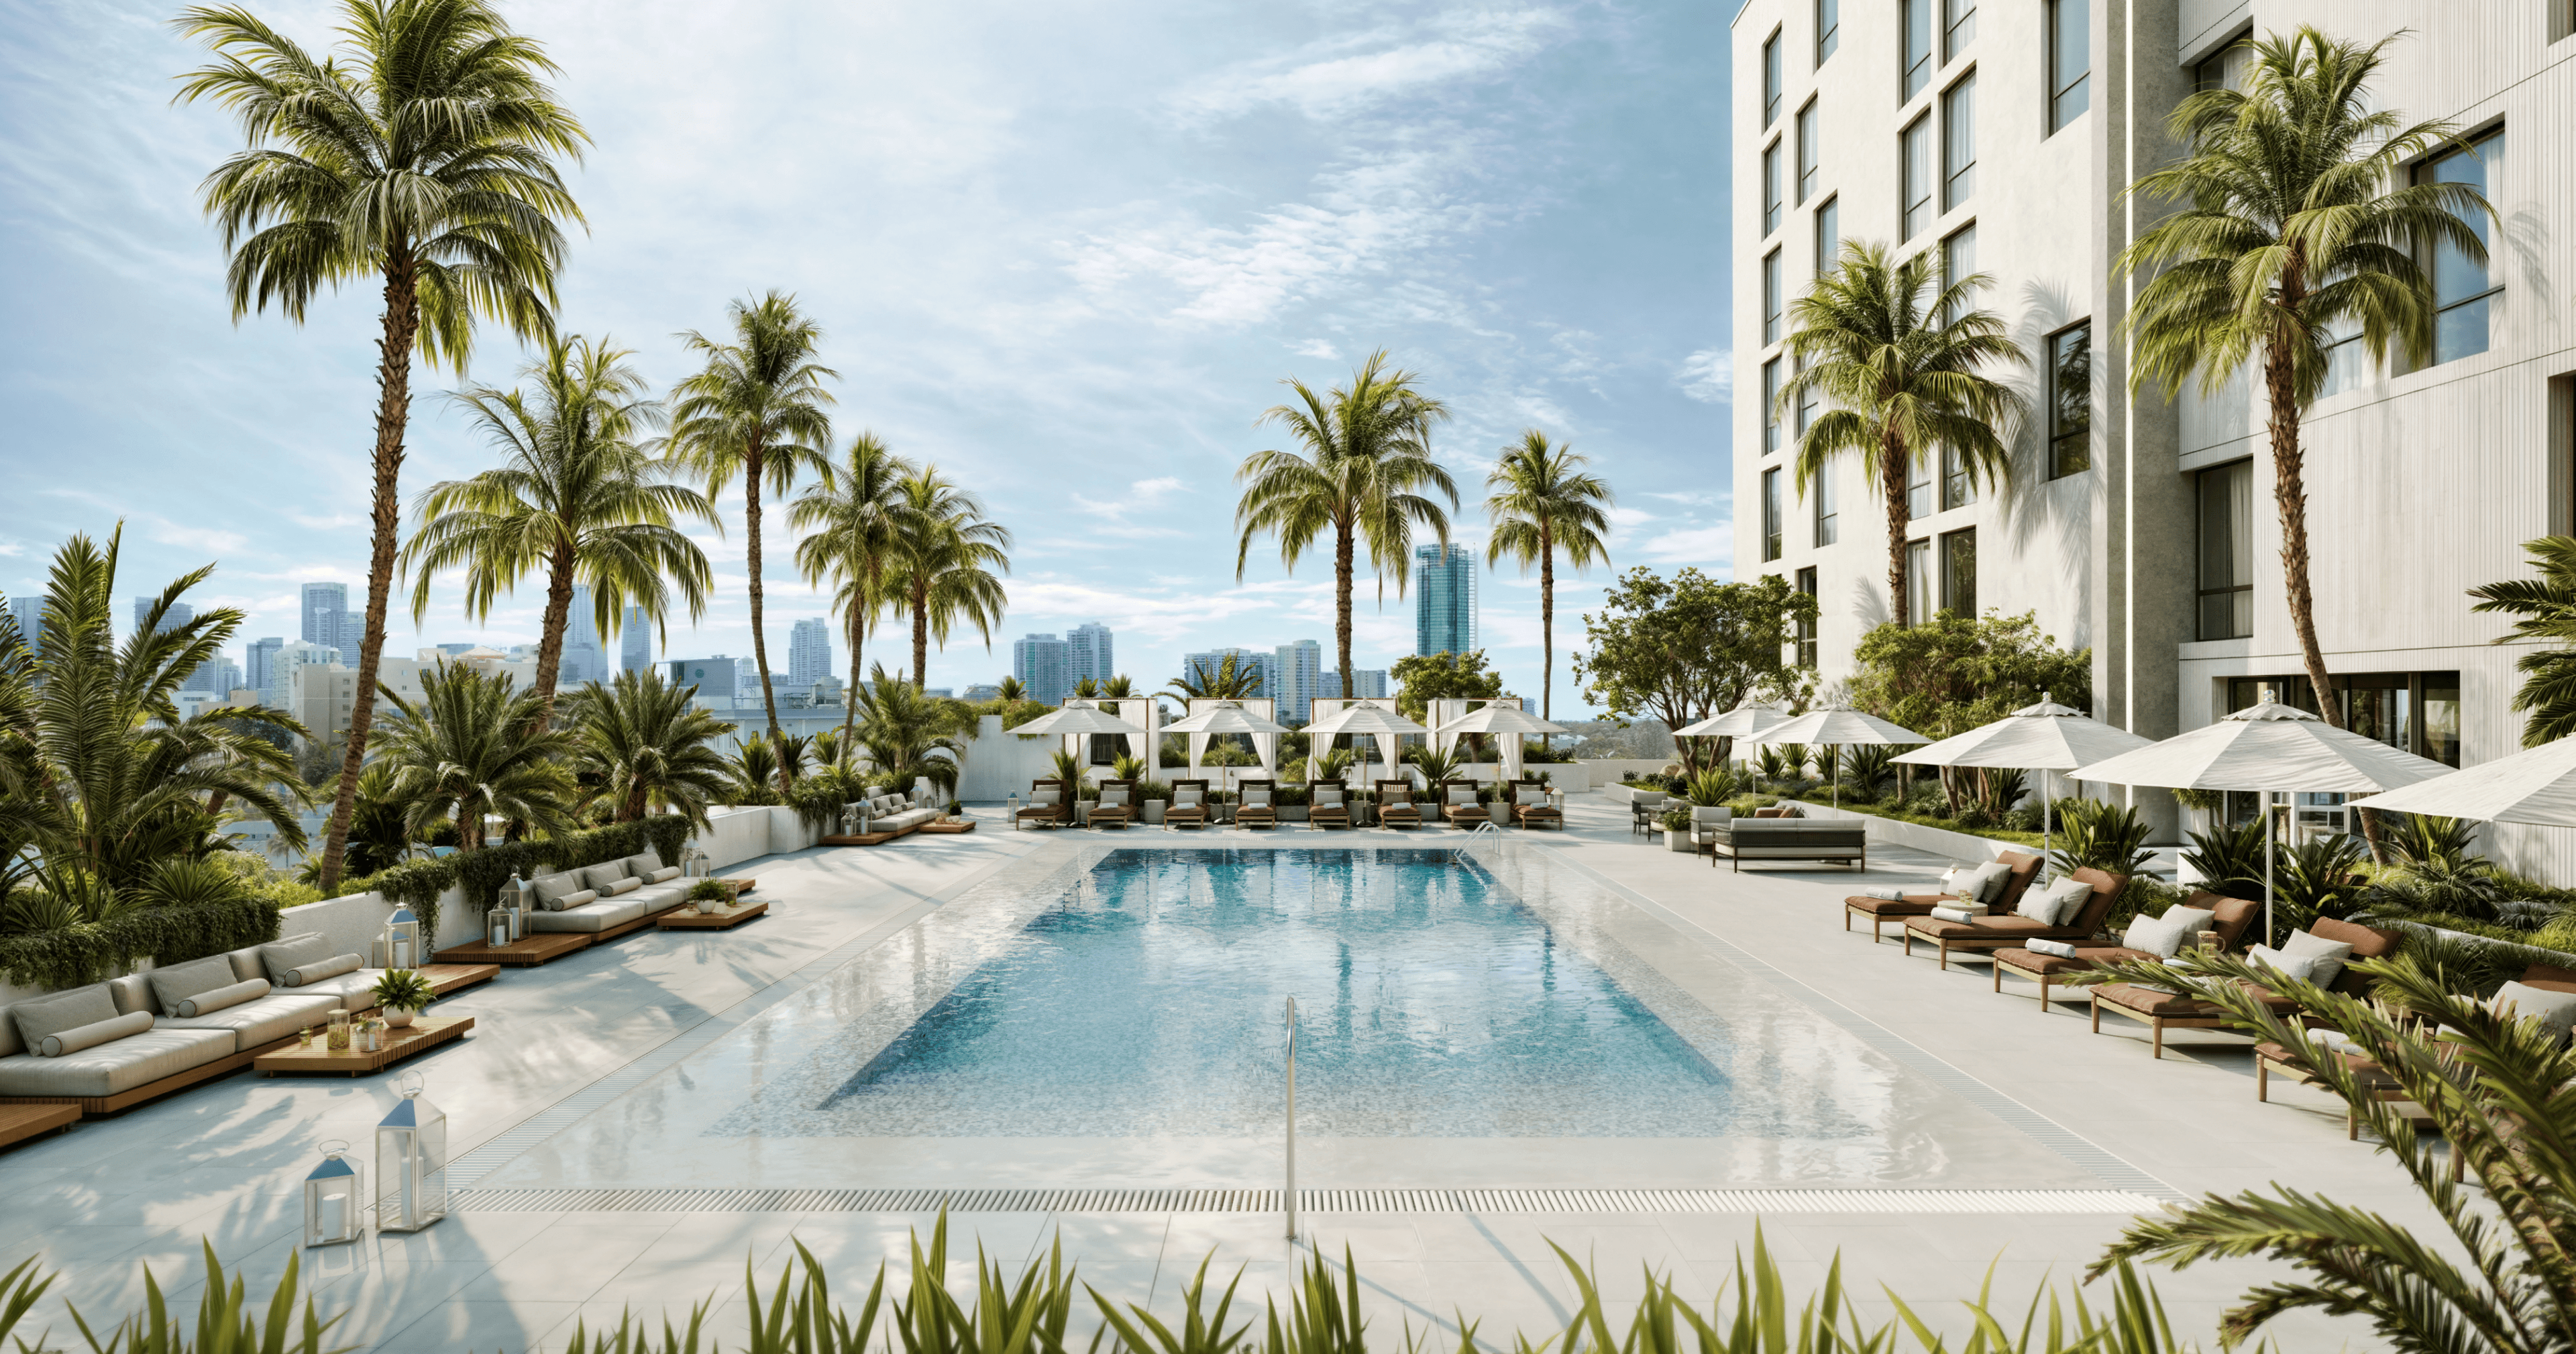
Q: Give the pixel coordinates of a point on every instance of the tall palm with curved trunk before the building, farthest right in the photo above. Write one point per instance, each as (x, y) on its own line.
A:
(2299, 223)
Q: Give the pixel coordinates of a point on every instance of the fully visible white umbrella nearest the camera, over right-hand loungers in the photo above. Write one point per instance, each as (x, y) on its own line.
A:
(2268, 748)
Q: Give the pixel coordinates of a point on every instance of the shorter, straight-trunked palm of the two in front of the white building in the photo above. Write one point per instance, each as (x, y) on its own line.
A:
(1905, 364)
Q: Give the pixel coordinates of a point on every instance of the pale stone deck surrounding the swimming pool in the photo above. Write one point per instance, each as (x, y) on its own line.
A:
(599, 1070)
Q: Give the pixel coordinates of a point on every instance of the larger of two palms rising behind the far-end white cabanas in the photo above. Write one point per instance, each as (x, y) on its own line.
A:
(1369, 459)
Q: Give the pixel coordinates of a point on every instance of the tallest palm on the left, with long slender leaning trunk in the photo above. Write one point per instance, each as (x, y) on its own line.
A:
(421, 156)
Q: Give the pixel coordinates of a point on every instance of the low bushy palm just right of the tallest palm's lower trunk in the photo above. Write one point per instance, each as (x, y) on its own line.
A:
(473, 748)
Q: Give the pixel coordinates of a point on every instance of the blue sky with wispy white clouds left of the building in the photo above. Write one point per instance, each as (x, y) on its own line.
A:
(1065, 251)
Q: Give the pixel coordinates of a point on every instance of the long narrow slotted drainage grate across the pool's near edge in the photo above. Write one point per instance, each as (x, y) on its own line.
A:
(1310, 1201)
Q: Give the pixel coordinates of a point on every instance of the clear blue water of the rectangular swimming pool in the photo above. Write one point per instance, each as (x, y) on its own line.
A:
(1148, 1003)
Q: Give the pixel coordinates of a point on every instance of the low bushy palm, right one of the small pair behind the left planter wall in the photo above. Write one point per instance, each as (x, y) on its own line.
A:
(648, 748)
